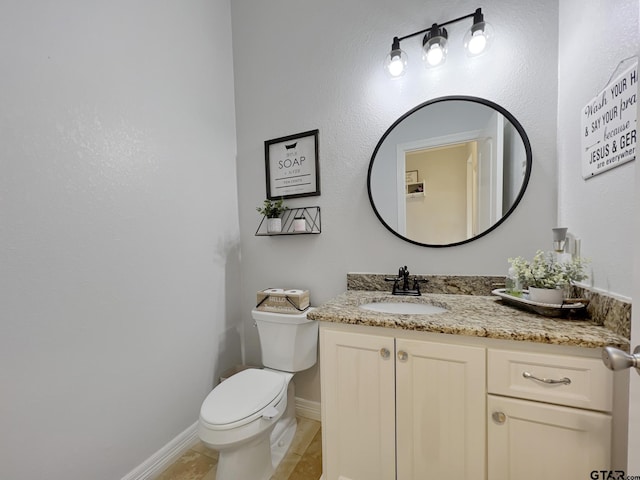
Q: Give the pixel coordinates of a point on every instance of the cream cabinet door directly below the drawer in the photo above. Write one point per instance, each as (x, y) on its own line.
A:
(531, 441)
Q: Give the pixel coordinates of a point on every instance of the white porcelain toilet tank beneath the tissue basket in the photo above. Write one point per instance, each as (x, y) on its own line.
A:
(289, 342)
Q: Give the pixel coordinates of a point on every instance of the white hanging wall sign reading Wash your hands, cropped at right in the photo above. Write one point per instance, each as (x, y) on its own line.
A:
(609, 125)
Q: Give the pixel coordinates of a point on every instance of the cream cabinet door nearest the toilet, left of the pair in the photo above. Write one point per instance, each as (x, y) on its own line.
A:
(358, 406)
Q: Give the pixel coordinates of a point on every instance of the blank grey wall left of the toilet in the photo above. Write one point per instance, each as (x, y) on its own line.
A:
(118, 229)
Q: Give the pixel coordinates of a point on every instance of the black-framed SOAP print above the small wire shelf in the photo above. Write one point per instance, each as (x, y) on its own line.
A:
(292, 166)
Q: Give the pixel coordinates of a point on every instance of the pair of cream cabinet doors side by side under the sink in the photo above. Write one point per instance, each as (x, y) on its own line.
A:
(401, 408)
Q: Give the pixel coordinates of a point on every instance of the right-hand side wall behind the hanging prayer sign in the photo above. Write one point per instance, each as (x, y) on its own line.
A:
(594, 37)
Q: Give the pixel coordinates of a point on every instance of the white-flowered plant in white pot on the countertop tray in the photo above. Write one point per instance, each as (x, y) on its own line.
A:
(546, 277)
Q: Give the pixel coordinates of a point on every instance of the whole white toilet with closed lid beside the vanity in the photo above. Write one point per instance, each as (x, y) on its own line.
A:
(250, 417)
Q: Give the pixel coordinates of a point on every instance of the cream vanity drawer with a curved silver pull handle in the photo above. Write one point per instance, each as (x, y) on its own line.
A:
(572, 381)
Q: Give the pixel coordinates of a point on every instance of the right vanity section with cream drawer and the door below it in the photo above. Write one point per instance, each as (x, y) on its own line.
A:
(548, 416)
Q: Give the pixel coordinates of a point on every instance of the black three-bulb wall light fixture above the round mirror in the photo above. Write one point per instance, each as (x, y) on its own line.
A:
(435, 41)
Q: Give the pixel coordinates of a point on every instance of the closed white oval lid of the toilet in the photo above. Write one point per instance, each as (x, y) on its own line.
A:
(241, 396)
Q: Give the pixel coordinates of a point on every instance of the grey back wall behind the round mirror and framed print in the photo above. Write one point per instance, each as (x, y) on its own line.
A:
(302, 64)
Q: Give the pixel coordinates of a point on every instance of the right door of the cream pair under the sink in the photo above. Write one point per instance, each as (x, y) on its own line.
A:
(440, 404)
